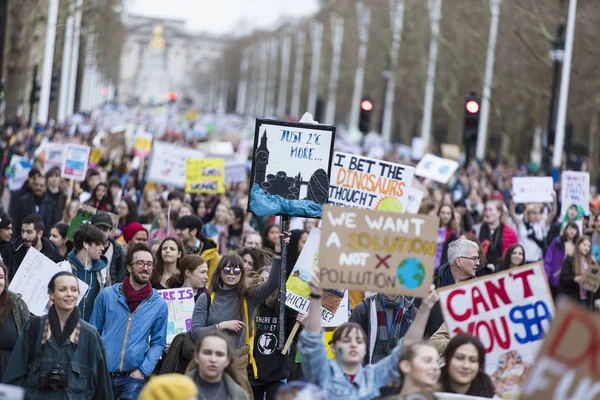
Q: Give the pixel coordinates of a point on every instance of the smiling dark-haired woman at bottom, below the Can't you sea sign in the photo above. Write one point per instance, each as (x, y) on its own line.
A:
(463, 371)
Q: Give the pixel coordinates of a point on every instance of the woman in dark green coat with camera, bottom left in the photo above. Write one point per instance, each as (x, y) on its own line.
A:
(60, 356)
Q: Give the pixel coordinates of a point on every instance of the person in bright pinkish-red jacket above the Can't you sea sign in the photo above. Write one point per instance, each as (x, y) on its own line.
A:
(495, 236)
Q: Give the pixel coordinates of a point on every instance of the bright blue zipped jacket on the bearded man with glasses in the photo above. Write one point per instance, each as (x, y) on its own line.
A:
(133, 340)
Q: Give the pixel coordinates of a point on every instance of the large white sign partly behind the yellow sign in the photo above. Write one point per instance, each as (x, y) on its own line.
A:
(167, 163)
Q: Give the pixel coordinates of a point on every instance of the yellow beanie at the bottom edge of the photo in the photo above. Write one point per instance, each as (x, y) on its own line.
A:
(169, 387)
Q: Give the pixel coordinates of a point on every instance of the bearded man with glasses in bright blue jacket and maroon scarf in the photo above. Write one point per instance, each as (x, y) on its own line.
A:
(131, 318)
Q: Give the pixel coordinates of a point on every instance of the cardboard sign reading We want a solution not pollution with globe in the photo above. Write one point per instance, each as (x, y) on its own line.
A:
(377, 251)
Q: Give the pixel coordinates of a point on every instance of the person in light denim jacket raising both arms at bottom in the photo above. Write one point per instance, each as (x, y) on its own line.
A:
(345, 377)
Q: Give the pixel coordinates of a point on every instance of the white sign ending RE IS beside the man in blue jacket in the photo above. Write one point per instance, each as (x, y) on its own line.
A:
(181, 307)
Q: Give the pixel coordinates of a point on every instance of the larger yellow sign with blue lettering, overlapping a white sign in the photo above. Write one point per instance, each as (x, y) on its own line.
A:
(205, 176)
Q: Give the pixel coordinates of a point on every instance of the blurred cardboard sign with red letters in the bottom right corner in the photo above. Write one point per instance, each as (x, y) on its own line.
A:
(567, 367)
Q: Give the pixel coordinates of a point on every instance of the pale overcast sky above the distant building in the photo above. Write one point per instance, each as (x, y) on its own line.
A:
(225, 16)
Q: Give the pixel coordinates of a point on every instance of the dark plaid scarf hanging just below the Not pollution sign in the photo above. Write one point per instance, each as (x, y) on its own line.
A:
(384, 344)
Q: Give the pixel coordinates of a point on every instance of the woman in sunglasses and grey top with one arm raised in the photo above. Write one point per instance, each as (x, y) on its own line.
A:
(231, 306)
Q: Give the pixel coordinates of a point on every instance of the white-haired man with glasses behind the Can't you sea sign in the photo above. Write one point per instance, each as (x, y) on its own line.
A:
(463, 260)
